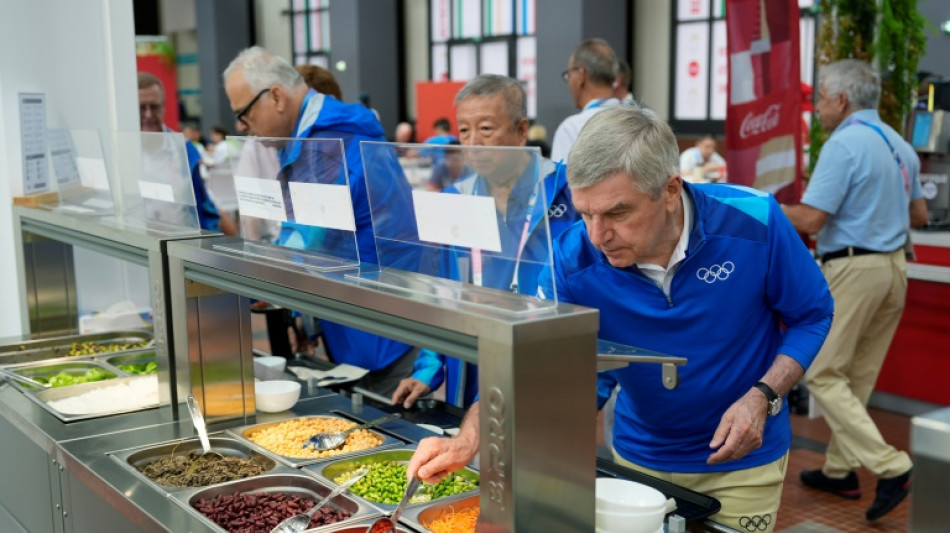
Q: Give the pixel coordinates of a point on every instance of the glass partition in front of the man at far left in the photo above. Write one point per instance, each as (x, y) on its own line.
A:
(154, 182)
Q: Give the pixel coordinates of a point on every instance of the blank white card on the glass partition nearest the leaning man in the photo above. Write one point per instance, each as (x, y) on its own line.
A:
(457, 220)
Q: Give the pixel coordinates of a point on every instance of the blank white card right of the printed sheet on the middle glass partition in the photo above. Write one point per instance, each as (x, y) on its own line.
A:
(323, 205)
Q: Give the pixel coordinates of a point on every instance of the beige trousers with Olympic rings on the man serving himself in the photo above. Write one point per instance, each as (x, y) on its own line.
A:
(750, 498)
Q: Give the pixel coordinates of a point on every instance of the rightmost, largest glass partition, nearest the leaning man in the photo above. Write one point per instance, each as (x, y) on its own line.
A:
(475, 228)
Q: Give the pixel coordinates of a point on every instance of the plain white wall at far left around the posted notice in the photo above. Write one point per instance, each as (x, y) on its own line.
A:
(81, 55)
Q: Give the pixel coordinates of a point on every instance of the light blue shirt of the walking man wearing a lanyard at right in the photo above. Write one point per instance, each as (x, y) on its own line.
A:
(858, 182)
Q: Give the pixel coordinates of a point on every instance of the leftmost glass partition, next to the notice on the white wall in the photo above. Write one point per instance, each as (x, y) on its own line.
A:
(80, 170)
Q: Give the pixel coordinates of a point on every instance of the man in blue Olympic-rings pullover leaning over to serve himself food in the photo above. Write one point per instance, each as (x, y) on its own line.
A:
(713, 273)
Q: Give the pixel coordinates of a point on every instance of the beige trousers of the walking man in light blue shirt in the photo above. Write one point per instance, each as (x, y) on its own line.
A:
(869, 293)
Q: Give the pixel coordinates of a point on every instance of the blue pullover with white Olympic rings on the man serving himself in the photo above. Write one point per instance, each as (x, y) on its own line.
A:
(747, 290)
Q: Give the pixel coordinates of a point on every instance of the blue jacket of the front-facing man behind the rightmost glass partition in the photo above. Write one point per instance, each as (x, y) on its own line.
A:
(462, 378)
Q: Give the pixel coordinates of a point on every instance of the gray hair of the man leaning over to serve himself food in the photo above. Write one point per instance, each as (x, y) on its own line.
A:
(627, 139)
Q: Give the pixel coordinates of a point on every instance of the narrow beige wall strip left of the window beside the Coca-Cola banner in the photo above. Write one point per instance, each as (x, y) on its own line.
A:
(651, 54)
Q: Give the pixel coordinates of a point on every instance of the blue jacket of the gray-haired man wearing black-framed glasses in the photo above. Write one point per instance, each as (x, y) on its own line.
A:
(324, 117)
